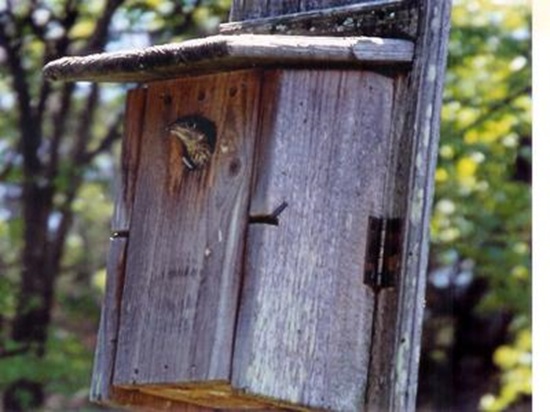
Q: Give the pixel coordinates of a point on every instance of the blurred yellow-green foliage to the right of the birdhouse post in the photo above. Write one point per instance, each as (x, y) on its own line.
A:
(483, 195)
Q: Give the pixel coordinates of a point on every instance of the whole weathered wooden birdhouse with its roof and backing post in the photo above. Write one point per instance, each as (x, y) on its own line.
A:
(269, 242)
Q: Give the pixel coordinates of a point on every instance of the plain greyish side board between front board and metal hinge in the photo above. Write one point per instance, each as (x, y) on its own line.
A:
(305, 316)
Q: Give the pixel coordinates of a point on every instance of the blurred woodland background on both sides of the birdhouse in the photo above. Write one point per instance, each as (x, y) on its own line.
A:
(59, 148)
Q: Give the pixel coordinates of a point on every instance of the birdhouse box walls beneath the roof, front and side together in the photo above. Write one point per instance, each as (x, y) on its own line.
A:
(248, 197)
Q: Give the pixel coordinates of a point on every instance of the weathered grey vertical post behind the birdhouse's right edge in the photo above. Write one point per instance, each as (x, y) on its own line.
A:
(419, 117)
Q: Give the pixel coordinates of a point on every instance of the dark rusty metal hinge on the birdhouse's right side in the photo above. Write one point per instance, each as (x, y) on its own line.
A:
(383, 252)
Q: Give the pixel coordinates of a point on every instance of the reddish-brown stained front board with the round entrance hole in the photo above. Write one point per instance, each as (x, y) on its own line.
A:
(186, 236)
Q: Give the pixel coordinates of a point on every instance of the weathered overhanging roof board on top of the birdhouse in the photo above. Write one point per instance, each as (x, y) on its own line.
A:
(222, 53)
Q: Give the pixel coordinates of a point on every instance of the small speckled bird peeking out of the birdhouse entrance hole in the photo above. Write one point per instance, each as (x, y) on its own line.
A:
(198, 136)
